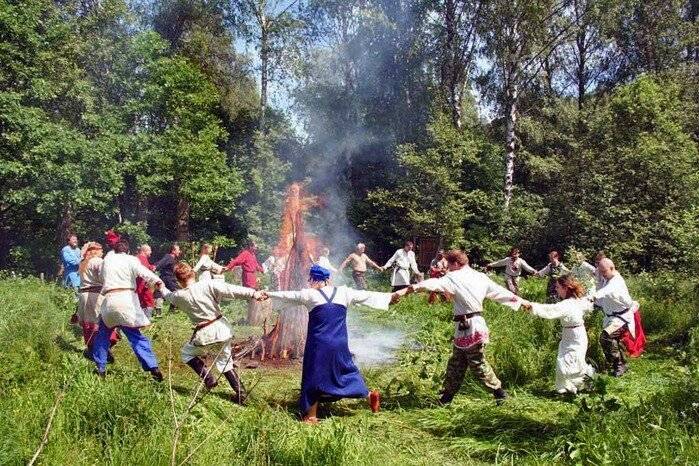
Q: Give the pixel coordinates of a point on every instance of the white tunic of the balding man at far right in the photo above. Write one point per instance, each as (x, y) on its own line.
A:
(616, 302)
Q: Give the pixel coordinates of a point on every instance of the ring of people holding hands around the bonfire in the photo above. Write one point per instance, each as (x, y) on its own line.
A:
(119, 294)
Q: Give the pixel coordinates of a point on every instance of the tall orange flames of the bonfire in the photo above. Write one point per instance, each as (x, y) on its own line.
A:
(295, 247)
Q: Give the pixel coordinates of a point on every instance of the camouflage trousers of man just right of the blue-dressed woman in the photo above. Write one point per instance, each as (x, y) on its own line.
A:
(462, 359)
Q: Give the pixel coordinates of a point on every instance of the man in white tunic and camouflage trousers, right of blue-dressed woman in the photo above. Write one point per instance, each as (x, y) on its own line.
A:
(469, 288)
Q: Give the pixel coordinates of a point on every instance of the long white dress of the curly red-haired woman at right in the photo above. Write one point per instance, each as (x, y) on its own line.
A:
(571, 367)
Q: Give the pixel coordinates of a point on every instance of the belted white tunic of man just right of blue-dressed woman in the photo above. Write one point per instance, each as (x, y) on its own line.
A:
(469, 288)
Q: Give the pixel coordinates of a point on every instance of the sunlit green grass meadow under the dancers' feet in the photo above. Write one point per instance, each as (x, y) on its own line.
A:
(649, 416)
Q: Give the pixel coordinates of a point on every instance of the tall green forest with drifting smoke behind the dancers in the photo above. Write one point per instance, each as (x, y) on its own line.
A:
(543, 124)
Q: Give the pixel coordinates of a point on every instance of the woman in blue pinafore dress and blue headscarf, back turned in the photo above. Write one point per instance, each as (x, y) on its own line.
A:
(328, 370)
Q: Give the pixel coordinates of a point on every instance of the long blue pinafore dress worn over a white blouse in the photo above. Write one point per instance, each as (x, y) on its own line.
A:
(328, 370)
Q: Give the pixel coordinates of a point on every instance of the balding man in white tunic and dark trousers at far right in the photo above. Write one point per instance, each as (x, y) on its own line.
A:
(618, 308)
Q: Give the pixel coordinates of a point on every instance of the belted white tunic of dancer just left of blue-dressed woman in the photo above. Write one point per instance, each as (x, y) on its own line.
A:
(201, 301)
